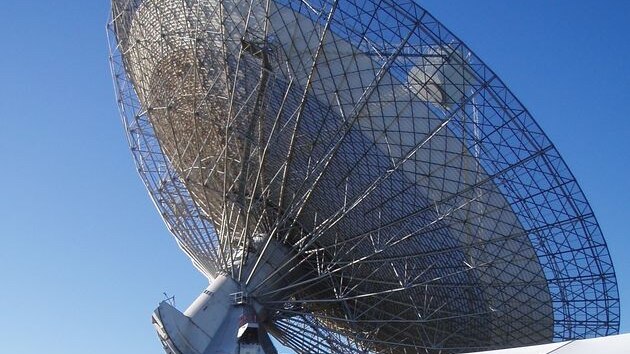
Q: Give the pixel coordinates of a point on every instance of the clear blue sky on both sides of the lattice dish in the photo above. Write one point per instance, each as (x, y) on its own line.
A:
(84, 257)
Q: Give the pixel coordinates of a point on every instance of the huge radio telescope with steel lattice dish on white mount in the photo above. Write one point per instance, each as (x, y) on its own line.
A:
(351, 178)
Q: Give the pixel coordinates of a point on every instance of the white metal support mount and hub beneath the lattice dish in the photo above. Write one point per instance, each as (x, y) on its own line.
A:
(224, 318)
